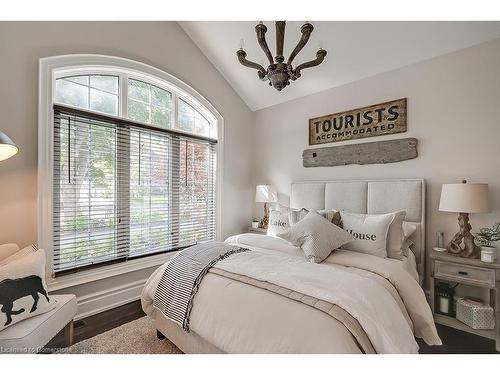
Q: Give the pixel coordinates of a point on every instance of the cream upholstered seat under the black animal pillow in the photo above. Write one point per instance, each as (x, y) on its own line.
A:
(32, 334)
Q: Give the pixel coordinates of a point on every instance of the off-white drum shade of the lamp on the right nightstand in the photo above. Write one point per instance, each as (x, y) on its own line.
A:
(465, 197)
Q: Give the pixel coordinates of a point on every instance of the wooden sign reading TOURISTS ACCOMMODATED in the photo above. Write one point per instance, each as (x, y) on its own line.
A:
(378, 119)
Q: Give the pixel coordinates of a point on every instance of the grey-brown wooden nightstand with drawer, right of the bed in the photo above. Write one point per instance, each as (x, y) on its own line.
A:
(473, 272)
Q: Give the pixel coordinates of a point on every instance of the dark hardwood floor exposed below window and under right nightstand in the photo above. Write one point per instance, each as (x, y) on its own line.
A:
(454, 342)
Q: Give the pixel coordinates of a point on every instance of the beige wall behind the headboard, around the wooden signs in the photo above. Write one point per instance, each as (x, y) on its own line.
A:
(453, 111)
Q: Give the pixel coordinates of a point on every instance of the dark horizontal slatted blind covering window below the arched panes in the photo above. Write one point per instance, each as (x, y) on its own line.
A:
(124, 189)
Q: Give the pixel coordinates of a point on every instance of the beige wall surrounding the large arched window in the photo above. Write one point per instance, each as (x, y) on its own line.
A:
(160, 44)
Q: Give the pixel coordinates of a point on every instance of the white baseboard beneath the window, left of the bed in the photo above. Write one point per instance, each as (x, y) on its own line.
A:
(108, 299)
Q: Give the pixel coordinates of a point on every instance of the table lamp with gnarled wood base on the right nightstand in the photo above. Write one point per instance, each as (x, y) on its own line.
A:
(464, 198)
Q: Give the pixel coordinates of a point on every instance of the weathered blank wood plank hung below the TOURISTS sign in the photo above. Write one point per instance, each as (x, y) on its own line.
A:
(362, 153)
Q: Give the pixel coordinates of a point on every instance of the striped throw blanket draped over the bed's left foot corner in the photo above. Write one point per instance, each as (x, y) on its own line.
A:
(182, 278)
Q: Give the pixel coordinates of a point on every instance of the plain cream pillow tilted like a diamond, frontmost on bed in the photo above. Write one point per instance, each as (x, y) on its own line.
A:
(316, 236)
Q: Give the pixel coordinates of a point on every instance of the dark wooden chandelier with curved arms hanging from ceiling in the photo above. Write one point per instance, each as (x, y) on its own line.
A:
(279, 73)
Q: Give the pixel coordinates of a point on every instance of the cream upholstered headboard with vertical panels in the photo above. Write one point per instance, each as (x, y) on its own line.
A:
(369, 197)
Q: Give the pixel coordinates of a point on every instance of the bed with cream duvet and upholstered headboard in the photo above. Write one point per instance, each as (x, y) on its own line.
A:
(250, 304)
